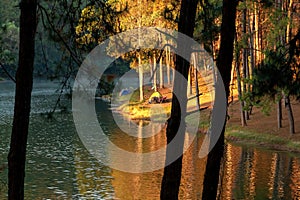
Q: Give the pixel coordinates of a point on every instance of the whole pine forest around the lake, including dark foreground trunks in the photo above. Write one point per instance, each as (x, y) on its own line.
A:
(254, 46)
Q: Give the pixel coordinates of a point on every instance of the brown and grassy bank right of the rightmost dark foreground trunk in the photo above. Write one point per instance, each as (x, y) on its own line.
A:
(262, 130)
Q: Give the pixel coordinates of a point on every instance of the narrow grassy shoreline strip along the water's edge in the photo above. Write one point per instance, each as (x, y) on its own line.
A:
(234, 133)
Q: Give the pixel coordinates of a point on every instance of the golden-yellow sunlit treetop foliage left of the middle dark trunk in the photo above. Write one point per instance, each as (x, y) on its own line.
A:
(98, 21)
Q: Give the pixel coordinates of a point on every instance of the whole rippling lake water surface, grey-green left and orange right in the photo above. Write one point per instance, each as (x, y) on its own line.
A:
(59, 166)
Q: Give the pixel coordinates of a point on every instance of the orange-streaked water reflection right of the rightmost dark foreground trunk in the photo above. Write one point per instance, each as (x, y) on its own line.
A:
(259, 174)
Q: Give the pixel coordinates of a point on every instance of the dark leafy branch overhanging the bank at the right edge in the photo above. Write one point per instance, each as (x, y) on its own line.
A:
(279, 72)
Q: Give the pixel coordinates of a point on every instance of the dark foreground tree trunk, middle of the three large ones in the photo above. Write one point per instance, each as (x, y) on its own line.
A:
(172, 173)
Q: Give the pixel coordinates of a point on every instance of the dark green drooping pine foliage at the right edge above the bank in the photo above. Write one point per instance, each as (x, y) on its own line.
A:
(277, 75)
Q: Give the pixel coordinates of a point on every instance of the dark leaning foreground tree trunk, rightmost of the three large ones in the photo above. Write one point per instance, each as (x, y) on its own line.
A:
(224, 64)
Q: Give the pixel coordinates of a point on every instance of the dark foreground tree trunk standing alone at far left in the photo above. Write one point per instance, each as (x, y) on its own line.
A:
(24, 76)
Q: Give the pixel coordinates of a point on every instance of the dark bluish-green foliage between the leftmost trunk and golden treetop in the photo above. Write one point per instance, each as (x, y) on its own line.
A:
(56, 50)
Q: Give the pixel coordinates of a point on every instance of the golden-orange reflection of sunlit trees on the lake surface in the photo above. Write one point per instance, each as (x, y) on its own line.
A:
(247, 174)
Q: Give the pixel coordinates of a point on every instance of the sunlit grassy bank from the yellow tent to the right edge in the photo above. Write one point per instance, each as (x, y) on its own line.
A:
(261, 129)
